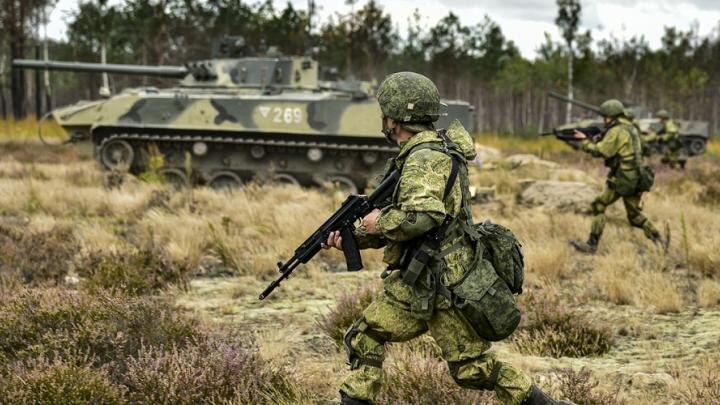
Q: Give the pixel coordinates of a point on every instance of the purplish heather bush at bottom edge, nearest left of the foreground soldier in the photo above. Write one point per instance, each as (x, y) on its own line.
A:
(209, 371)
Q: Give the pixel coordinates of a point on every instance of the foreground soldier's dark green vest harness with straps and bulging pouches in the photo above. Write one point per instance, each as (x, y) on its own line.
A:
(484, 295)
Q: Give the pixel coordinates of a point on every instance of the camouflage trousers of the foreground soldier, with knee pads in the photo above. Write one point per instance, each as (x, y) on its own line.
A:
(470, 366)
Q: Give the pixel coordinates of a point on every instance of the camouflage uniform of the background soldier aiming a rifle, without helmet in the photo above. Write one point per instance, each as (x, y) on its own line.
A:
(618, 150)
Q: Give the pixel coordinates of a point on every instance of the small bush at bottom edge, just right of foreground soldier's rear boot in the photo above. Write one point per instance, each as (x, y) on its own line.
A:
(580, 388)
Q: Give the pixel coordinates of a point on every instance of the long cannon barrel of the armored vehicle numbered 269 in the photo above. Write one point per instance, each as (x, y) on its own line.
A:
(162, 71)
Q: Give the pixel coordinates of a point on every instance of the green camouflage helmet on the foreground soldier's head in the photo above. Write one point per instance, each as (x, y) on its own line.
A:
(409, 97)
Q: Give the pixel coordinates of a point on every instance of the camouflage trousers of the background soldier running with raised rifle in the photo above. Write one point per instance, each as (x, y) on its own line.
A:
(633, 209)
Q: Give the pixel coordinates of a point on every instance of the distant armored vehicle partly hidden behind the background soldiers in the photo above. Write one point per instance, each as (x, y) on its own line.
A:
(694, 134)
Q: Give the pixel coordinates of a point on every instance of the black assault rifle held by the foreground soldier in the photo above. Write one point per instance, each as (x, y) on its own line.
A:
(354, 208)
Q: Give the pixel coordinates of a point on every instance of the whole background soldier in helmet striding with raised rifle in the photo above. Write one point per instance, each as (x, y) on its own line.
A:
(620, 147)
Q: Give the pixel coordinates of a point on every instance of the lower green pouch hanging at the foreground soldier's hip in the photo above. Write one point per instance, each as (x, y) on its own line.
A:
(486, 302)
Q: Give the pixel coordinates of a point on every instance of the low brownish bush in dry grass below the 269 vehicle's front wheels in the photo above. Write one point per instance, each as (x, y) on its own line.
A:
(136, 273)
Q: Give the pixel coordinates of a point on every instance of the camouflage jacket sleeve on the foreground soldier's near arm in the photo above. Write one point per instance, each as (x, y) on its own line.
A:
(419, 205)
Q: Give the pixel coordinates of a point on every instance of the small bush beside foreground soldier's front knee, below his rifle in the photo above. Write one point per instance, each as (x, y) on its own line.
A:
(348, 309)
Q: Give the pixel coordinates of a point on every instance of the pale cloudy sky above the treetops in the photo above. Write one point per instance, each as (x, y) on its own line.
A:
(523, 21)
